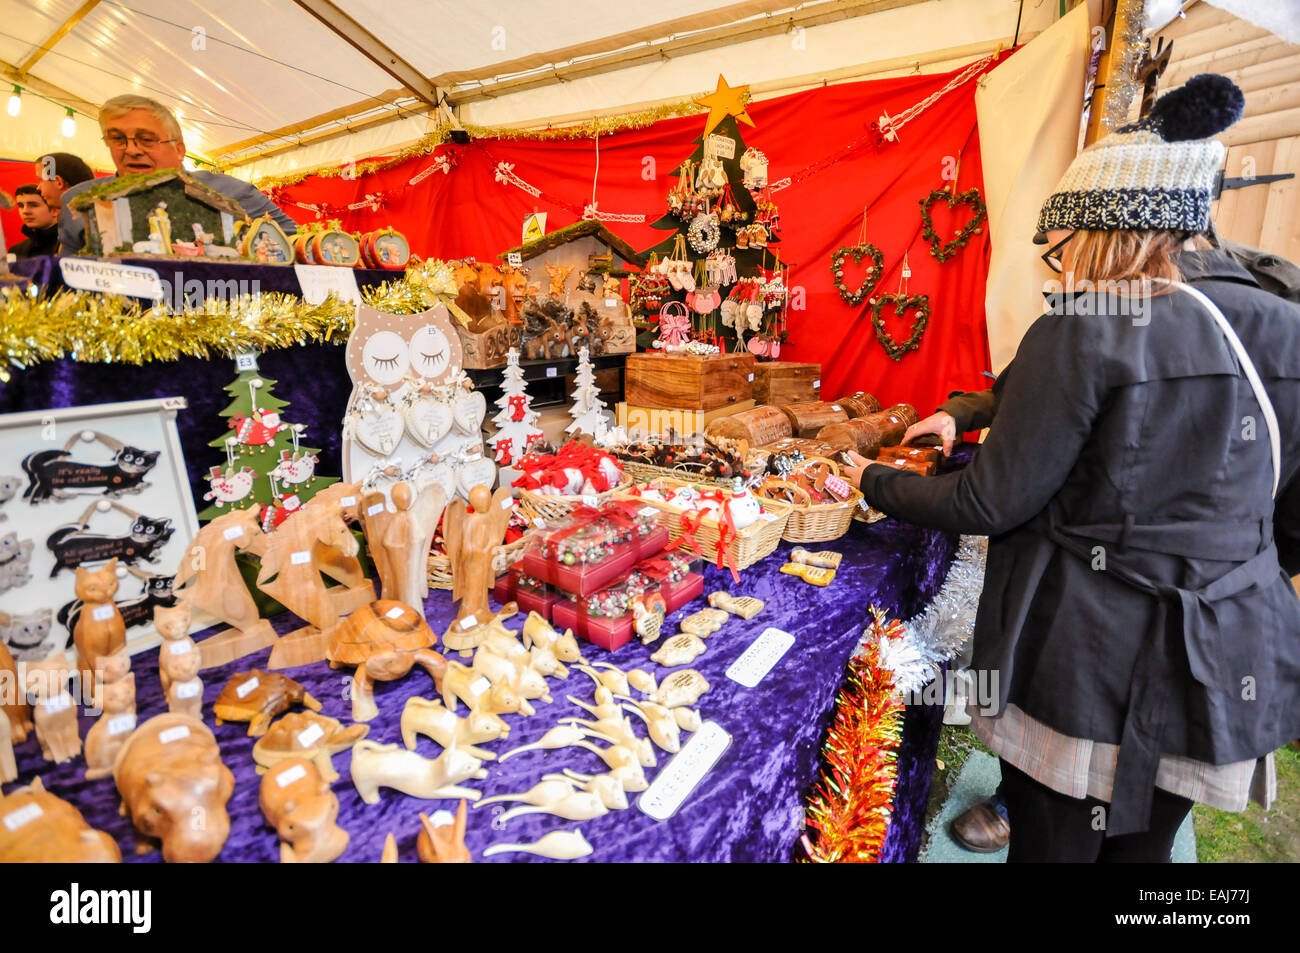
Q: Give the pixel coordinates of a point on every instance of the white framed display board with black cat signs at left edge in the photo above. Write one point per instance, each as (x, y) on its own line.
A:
(102, 490)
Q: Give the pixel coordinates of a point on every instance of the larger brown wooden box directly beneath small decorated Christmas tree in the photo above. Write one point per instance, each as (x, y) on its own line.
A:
(688, 382)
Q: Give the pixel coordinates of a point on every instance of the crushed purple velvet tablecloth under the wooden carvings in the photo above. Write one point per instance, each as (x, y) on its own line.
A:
(749, 808)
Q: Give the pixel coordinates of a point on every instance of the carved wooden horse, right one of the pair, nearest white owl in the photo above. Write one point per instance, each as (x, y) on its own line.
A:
(292, 575)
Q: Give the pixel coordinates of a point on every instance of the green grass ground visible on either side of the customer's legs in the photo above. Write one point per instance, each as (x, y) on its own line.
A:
(1254, 837)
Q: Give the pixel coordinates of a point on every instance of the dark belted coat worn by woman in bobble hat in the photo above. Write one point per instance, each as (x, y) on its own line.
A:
(1134, 592)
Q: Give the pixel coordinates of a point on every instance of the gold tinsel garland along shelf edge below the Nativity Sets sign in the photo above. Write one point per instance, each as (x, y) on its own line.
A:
(98, 328)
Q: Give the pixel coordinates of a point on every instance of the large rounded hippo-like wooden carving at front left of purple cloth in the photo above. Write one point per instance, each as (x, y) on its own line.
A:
(170, 776)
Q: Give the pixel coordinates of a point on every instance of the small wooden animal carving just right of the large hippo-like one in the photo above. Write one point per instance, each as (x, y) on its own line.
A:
(297, 802)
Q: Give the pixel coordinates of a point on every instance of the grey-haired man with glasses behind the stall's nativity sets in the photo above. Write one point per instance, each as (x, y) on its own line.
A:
(144, 136)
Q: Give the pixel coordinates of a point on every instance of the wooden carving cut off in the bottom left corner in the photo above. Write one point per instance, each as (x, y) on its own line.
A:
(37, 828)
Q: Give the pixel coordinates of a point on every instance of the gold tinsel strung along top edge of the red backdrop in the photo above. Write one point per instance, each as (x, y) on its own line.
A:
(441, 135)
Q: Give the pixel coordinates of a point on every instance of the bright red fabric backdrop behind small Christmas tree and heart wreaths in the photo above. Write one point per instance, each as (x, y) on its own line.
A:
(805, 136)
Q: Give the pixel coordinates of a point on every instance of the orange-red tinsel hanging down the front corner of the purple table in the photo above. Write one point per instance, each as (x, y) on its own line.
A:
(851, 807)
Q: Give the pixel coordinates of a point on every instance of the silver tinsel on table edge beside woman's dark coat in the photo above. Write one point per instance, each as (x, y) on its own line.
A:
(943, 629)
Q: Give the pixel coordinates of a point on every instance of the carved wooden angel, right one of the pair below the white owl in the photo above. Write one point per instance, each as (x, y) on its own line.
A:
(473, 535)
